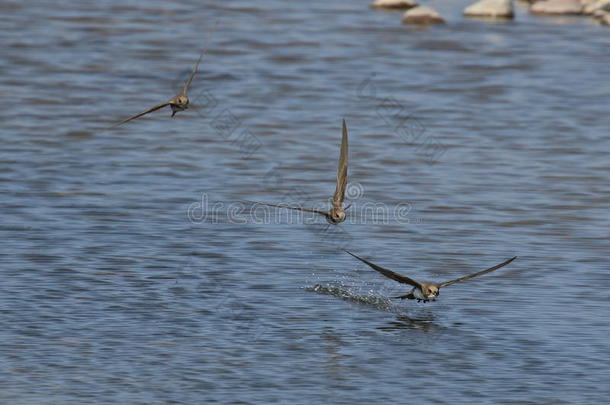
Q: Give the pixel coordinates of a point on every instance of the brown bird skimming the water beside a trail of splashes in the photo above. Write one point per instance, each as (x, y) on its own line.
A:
(425, 291)
